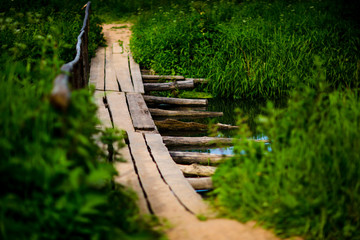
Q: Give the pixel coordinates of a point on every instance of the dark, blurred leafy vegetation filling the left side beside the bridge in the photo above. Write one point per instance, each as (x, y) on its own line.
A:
(56, 183)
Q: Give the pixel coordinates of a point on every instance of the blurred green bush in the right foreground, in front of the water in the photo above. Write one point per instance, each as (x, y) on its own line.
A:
(308, 183)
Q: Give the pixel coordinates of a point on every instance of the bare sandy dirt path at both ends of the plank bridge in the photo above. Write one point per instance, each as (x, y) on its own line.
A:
(184, 224)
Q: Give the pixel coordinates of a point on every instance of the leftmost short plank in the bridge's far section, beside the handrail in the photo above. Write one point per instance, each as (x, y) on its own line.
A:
(97, 69)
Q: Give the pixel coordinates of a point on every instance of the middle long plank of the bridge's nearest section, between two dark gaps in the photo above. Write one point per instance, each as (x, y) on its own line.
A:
(162, 201)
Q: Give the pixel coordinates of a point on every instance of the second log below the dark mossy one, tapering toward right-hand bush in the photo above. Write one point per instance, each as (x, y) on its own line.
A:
(196, 157)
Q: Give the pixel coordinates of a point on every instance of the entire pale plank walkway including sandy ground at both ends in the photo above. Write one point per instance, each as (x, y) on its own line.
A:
(149, 169)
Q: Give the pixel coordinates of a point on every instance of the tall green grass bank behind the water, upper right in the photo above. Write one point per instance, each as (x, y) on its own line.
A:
(251, 49)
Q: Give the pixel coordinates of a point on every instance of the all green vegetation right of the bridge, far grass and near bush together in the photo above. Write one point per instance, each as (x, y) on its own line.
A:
(306, 182)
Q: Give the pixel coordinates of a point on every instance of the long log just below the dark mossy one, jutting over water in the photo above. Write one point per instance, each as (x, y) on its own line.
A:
(198, 141)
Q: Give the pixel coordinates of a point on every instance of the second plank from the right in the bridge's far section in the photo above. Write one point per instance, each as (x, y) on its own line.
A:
(121, 66)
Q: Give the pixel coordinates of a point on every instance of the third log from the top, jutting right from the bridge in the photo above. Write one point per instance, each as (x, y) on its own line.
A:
(175, 101)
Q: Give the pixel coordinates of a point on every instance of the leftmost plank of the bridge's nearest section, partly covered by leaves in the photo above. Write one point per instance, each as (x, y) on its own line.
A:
(128, 177)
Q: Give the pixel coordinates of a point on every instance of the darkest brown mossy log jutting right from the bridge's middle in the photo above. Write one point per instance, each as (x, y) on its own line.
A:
(175, 125)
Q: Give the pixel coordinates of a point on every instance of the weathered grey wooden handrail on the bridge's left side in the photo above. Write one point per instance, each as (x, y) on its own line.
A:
(76, 72)
